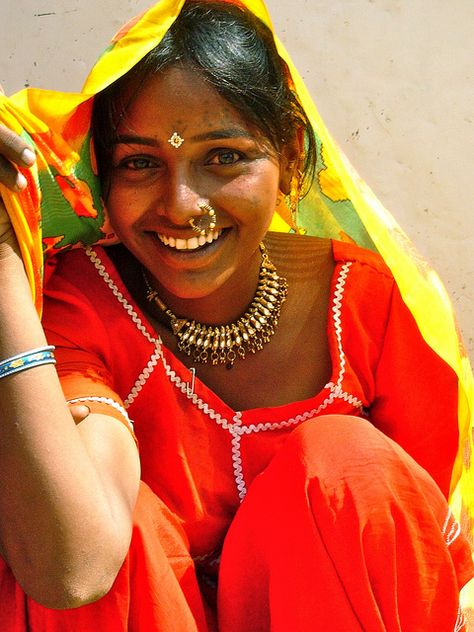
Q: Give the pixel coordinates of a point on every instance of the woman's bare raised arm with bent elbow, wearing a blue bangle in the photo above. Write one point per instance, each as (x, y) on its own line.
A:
(66, 493)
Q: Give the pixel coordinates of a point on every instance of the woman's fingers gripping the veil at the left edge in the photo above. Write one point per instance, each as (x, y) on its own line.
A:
(14, 152)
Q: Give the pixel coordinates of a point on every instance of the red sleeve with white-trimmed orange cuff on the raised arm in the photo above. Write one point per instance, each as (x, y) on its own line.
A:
(74, 324)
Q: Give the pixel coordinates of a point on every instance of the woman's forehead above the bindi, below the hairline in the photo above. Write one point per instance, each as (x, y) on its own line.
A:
(179, 100)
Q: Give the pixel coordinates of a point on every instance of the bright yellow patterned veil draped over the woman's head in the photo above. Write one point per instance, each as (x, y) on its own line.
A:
(62, 207)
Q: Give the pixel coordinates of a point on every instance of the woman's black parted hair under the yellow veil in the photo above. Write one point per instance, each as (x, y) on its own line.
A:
(235, 53)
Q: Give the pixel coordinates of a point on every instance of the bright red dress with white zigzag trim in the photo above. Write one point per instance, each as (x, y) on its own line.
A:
(339, 528)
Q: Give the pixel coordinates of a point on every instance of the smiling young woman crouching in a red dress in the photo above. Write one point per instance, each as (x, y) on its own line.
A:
(291, 477)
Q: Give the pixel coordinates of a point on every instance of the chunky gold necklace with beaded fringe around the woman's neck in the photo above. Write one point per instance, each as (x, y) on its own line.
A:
(223, 344)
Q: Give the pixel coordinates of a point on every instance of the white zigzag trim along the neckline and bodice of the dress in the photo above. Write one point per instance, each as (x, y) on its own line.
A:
(235, 429)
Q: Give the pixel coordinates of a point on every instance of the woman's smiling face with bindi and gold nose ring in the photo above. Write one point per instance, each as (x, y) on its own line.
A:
(155, 187)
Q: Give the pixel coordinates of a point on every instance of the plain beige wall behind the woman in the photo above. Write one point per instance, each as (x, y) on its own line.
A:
(394, 80)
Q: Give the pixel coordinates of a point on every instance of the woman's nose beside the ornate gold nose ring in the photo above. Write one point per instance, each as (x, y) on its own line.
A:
(183, 197)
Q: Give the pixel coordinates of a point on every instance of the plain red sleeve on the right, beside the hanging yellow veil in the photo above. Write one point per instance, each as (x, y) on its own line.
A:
(416, 395)
